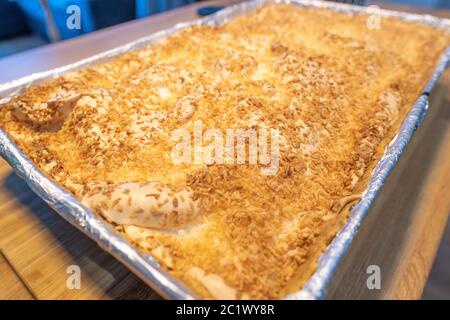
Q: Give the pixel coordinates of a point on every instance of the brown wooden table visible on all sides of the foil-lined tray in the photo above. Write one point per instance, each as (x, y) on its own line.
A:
(401, 233)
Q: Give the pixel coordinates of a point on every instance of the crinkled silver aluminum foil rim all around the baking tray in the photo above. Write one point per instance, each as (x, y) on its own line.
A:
(144, 265)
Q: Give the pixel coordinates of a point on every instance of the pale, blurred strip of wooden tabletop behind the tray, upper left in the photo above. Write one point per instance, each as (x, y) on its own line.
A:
(68, 51)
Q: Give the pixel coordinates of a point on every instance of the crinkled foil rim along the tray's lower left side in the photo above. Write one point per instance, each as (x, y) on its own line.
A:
(67, 206)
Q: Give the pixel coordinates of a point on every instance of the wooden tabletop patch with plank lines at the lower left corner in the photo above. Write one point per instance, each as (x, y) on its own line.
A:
(42, 246)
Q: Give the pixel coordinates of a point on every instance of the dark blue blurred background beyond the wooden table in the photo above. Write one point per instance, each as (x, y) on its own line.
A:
(25, 24)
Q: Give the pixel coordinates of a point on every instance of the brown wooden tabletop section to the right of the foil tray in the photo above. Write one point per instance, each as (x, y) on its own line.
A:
(402, 230)
